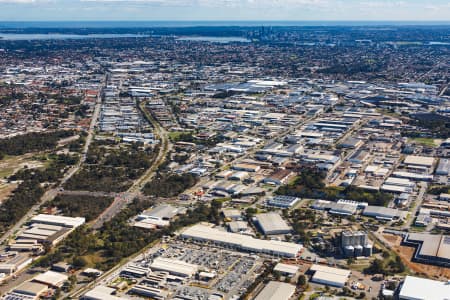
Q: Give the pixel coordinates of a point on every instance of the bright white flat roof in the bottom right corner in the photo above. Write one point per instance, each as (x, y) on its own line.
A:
(415, 288)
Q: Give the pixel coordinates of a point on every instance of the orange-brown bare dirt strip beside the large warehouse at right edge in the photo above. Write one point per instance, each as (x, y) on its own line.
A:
(406, 254)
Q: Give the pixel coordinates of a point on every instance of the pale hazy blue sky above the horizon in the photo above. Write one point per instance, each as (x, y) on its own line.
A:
(301, 10)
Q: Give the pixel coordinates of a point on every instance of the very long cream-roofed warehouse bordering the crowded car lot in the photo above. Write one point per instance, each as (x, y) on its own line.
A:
(201, 232)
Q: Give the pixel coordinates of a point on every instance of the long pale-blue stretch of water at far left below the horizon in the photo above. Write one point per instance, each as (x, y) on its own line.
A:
(53, 36)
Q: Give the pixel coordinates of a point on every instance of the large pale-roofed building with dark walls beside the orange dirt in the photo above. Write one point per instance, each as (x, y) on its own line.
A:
(430, 249)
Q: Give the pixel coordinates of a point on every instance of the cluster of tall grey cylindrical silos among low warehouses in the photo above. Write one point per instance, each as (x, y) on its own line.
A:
(355, 244)
